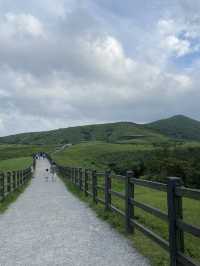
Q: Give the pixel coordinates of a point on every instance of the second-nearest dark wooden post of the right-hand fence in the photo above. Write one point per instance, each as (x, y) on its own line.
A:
(128, 206)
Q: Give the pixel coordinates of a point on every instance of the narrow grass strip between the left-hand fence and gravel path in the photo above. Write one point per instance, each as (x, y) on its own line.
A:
(12, 197)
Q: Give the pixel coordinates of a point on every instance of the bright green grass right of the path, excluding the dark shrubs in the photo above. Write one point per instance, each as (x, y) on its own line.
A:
(88, 154)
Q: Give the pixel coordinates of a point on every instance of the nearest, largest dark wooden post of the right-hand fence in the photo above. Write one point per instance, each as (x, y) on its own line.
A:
(176, 237)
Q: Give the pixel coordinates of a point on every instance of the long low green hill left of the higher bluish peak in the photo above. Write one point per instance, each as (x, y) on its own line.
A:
(113, 132)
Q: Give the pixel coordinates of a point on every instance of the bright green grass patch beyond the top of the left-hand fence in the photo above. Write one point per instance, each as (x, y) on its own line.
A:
(15, 164)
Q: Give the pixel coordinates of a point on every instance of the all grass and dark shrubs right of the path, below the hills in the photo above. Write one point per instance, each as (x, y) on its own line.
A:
(151, 161)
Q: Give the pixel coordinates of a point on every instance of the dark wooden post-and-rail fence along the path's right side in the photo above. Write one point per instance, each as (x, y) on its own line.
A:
(88, 182)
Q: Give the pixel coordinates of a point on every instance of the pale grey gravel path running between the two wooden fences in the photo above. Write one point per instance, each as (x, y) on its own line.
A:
(47, 225)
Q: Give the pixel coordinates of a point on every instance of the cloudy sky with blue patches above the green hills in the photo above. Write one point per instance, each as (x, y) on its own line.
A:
(74, 62)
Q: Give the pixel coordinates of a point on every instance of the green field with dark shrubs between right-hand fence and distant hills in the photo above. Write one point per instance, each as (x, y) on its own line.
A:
(146, 160)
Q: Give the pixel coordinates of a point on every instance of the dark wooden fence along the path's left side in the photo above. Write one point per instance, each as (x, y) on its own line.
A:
(11, 180)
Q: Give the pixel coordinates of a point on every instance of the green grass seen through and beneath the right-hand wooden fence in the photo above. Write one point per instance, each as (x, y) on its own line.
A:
(145, 246)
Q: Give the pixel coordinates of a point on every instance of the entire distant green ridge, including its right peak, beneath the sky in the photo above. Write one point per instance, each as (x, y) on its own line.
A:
(175, 127)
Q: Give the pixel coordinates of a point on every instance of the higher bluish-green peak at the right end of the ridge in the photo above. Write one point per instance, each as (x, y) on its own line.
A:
(178, 127)
